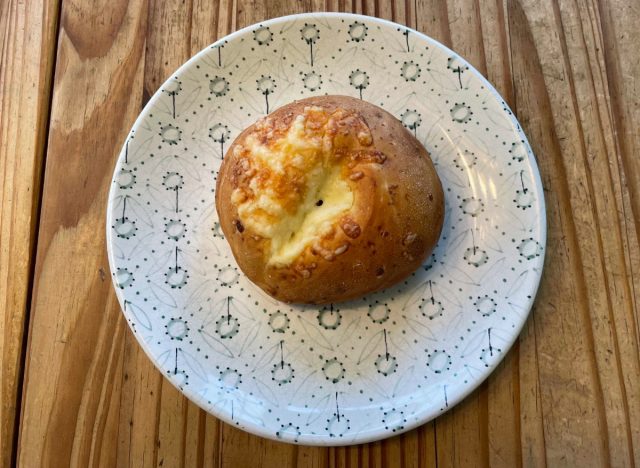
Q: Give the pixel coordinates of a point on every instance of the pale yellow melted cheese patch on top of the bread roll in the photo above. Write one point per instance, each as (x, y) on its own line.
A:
(297, 188)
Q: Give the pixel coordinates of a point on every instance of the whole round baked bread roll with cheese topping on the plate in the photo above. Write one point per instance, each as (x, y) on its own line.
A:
(327, 199)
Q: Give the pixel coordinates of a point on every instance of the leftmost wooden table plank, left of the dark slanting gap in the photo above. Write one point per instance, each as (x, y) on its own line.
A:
(27, 52)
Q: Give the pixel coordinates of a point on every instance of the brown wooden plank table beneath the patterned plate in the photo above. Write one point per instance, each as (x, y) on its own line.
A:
(78, 390)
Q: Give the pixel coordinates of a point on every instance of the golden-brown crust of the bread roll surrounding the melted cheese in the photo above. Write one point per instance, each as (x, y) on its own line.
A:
(393, 225)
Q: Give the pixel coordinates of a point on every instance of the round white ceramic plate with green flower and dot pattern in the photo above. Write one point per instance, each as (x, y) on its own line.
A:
(352, 372)
